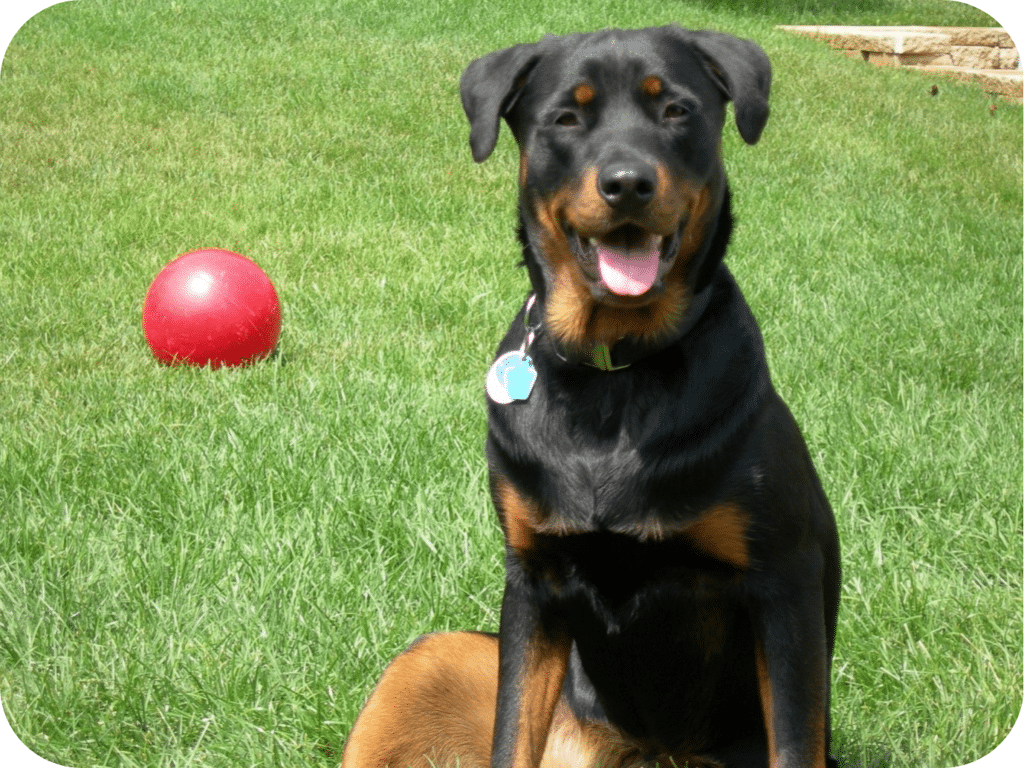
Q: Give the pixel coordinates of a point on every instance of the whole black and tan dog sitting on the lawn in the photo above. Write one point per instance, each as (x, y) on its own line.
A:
(672, 561)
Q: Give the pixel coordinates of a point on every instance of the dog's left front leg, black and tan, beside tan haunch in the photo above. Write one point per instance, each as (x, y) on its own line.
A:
(534, 654)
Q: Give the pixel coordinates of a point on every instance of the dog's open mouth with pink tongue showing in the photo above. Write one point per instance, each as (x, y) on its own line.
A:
(627, 262)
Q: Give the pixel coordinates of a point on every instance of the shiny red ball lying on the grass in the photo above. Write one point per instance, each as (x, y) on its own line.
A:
(211, 308)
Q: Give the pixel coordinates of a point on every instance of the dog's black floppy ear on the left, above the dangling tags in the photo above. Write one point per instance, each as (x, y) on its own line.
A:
(490, 88)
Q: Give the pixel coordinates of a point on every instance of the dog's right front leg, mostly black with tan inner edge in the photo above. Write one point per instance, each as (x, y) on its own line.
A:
(793, 672)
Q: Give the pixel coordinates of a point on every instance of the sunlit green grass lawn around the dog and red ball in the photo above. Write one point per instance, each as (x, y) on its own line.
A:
(212, 568)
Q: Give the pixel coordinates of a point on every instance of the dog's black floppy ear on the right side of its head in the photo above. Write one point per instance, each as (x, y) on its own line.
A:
(743, 72)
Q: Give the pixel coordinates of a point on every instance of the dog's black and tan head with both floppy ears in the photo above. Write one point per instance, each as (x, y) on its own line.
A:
(621, 176)
